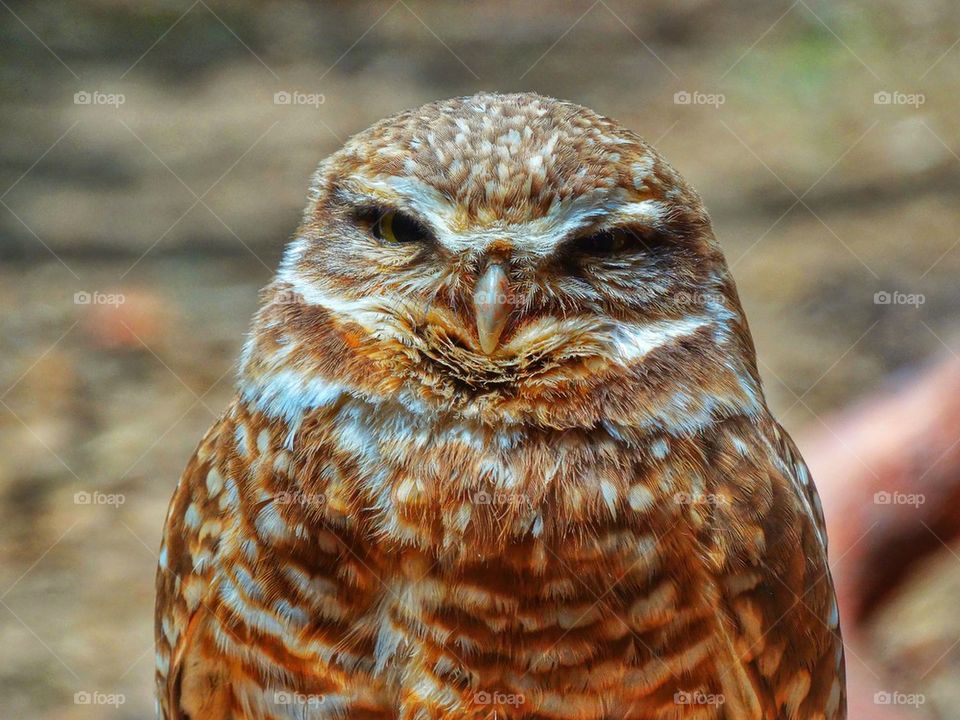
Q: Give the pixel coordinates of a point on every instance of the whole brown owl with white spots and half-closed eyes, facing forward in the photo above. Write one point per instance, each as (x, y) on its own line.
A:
(498, 449)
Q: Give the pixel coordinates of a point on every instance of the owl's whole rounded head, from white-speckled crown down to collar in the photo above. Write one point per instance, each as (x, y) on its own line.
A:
(508, 259)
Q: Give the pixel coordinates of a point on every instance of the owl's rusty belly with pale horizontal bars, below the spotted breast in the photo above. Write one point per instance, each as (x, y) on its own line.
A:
(606, 620)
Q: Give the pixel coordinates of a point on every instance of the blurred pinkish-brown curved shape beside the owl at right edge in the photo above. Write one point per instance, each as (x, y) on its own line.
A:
(888, 468)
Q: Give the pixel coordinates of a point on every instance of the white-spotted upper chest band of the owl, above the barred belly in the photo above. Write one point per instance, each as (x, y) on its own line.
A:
(464, 493)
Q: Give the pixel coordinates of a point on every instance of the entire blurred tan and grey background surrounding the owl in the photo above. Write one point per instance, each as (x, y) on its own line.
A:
(154, 158)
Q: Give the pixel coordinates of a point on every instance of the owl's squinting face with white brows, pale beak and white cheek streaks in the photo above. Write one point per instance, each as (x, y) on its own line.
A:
(492, 302)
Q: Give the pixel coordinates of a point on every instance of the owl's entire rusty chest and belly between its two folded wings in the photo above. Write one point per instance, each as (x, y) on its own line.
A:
(464, 568)
